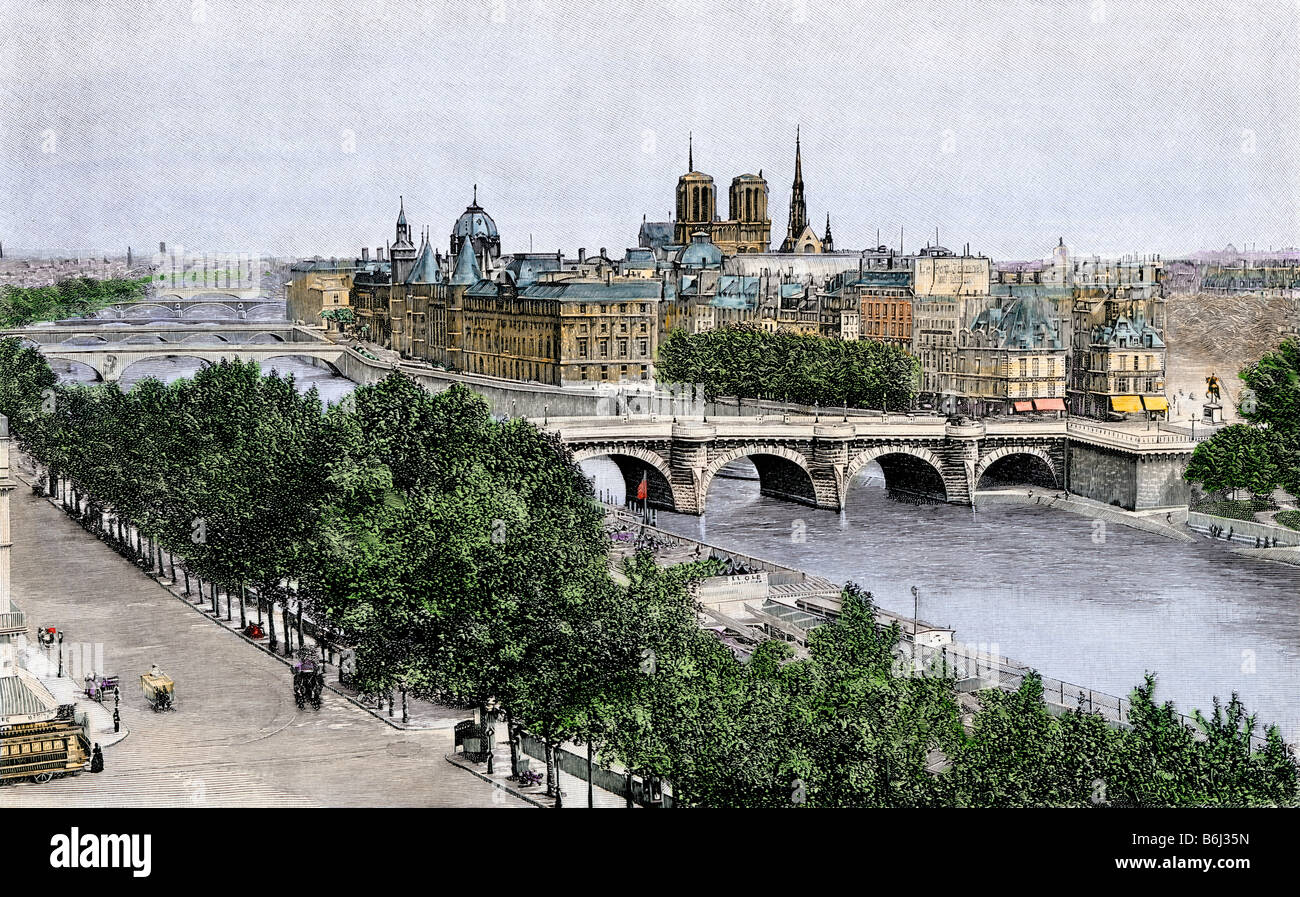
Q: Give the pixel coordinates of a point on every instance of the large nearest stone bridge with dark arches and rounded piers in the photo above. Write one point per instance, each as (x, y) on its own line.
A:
(812, 462)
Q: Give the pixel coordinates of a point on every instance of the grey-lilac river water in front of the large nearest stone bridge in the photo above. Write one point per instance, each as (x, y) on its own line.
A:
(1086, 604)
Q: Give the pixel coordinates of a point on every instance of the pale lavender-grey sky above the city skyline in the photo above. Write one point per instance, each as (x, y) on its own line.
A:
(294, 128)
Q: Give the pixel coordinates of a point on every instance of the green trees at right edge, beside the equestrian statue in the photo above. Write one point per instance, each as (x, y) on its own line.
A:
(1266, 454)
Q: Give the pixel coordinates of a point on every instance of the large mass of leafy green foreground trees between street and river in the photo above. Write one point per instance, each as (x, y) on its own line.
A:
(466, 561)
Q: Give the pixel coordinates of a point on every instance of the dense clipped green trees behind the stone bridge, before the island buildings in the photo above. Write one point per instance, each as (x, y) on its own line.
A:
(749, 362)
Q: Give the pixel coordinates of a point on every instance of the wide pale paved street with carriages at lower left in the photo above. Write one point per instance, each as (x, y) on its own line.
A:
(236, 736)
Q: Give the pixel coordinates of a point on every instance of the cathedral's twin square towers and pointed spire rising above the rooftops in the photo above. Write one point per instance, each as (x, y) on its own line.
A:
(747, 229)
